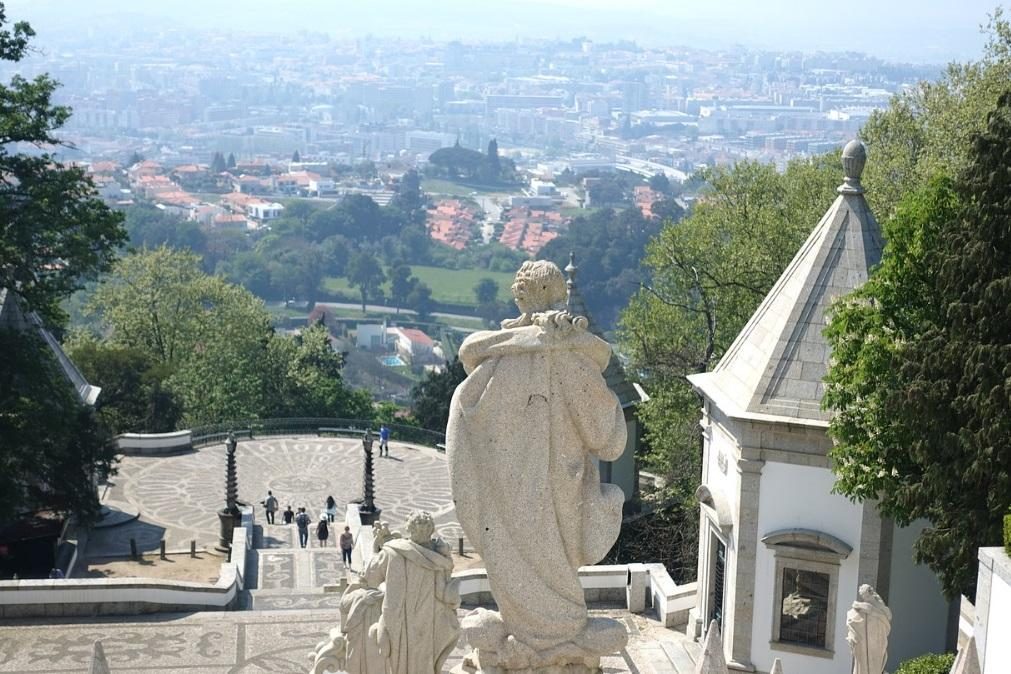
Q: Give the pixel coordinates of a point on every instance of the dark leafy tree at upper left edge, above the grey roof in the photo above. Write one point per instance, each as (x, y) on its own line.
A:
(55, 233)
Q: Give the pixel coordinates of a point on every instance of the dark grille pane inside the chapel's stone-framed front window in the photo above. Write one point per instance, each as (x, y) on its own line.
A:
(804, 612)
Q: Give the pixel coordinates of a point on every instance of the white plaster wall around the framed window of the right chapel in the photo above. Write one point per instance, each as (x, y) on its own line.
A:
(801, 498)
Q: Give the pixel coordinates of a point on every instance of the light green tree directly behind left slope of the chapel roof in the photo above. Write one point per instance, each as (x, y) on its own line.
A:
(707, 275)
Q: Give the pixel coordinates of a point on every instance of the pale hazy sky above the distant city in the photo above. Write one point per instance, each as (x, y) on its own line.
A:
(918, 31)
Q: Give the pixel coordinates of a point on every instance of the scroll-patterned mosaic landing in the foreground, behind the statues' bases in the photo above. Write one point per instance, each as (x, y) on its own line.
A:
(253, 643)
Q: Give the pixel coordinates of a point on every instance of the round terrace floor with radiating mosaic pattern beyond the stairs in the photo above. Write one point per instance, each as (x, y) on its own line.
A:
(178, 496)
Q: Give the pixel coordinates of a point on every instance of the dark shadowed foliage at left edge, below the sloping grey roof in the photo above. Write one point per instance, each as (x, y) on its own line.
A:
(54, 448)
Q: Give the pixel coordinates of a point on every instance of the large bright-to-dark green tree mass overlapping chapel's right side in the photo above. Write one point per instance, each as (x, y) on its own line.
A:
(922, 358)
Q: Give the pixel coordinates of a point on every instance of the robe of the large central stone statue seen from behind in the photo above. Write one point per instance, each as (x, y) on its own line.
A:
(523, 433)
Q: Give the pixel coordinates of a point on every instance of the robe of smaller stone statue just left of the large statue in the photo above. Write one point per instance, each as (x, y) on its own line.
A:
(419, 629)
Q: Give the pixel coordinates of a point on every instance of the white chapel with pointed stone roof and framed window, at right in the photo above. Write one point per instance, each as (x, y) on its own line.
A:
(781, 556)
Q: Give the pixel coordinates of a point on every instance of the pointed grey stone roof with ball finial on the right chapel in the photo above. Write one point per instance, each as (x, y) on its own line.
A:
(775, 369)
